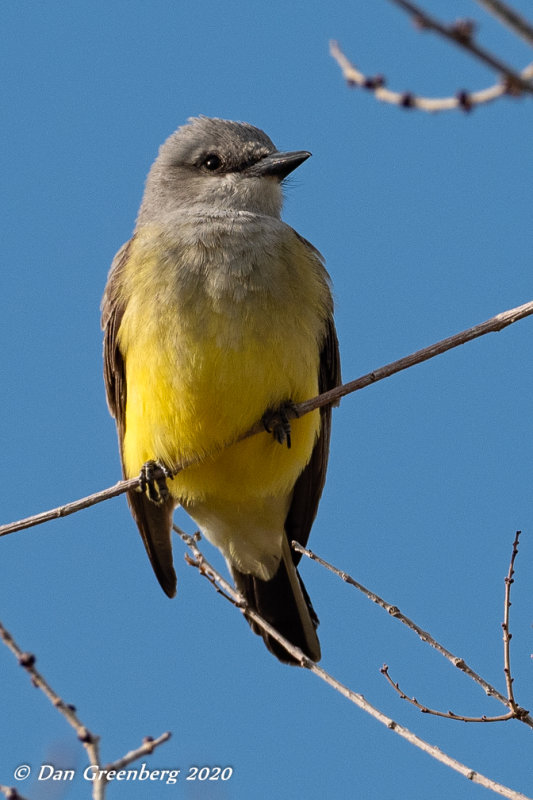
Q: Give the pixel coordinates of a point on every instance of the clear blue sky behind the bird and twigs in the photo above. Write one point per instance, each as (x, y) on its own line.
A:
(425, 224)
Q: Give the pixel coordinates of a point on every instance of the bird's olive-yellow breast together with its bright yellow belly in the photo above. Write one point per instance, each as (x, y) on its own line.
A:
(203, 364)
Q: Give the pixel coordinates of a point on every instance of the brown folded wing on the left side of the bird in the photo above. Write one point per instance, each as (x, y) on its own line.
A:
(154, 521)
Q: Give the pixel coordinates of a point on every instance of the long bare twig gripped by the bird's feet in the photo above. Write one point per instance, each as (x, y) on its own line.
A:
(491, 325)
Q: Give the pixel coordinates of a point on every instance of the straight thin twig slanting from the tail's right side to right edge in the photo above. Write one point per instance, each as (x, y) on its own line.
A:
(395, 612)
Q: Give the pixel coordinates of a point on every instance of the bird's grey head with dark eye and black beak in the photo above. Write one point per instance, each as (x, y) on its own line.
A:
(212, 165)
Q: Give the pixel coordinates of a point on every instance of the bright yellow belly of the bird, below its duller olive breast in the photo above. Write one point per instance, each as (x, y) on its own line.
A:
(189, 395)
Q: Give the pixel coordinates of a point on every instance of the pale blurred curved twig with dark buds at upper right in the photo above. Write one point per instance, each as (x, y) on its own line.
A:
(462, 101)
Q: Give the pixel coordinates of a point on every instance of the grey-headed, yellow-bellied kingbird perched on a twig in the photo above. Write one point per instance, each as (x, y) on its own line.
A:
(216, 315)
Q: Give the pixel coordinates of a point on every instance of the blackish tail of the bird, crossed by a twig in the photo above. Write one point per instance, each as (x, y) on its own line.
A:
(284, 603)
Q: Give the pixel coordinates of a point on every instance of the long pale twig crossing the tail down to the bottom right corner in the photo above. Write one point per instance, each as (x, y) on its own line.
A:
(206, 569)
